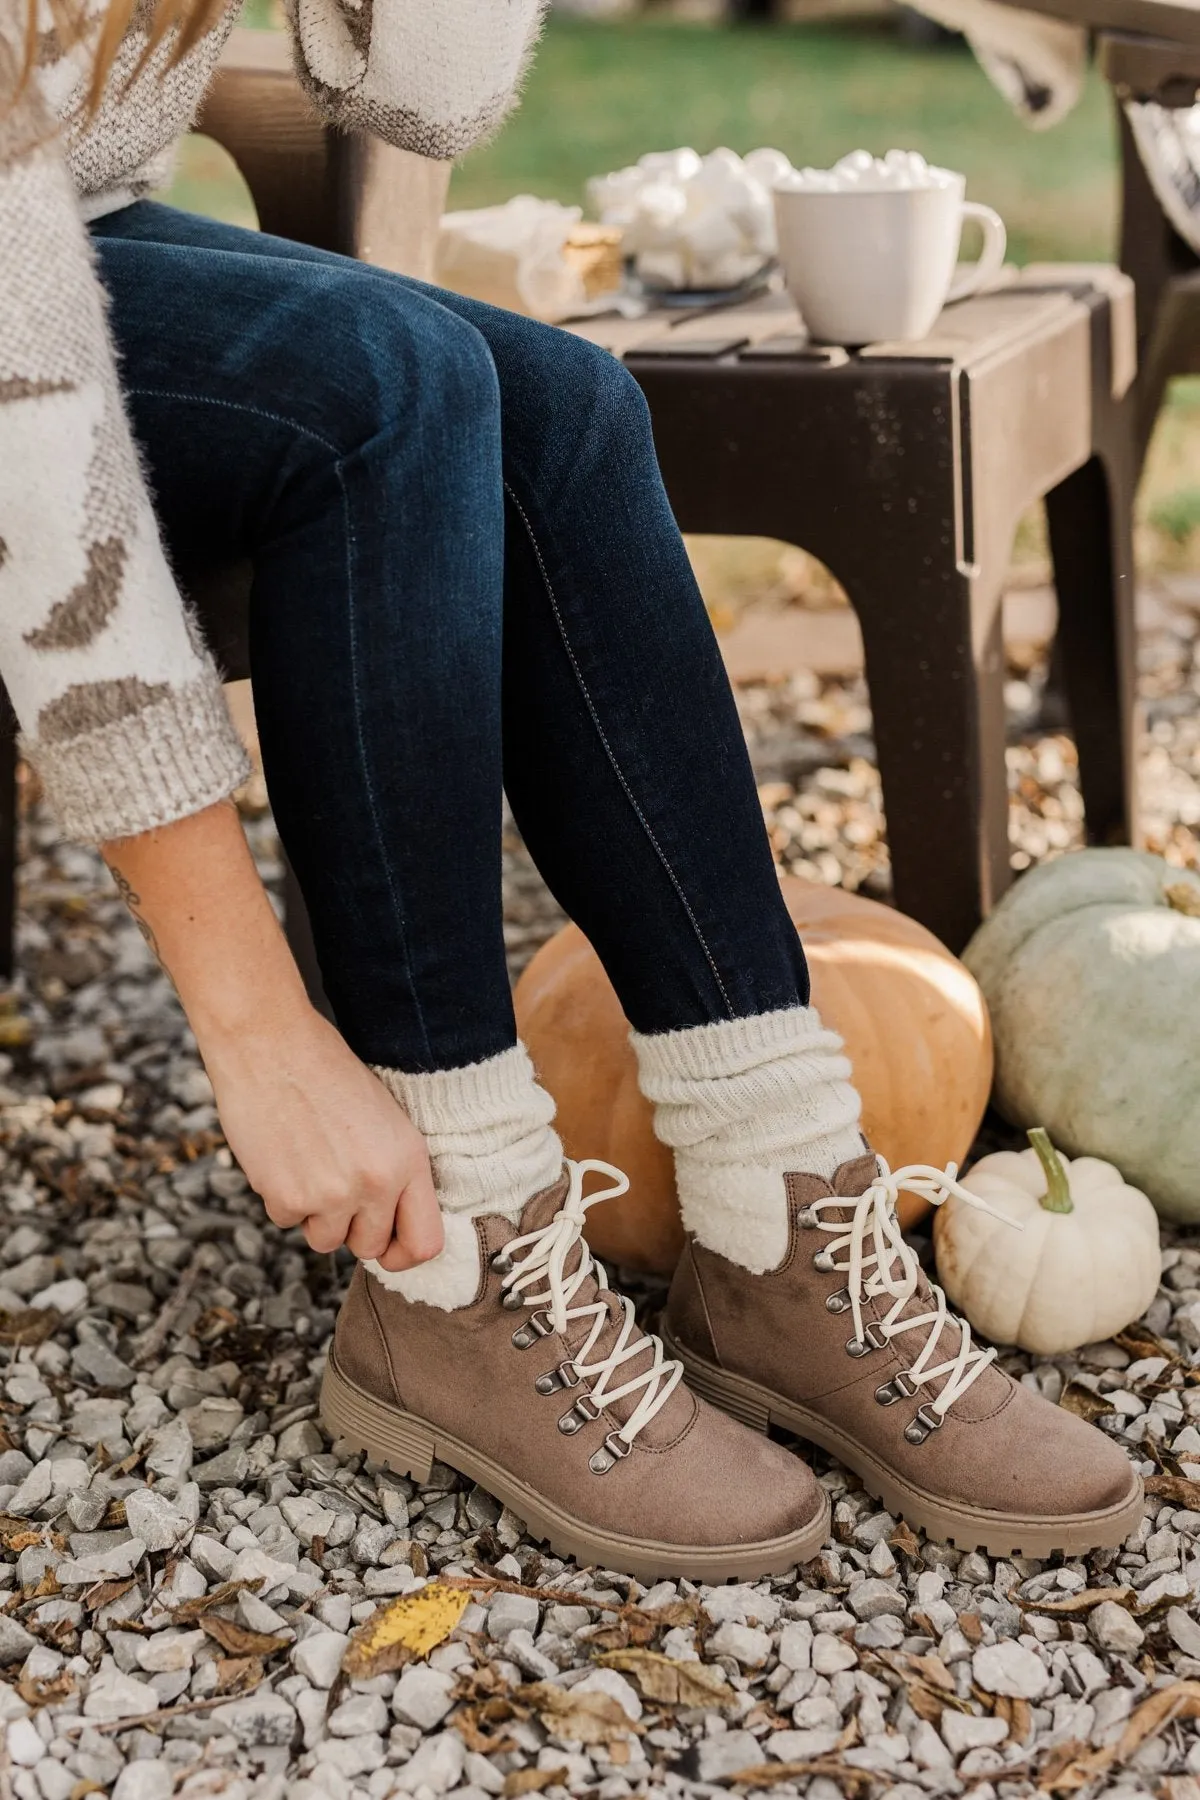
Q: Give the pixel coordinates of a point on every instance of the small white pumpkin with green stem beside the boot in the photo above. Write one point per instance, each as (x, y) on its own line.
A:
(1084, 1266)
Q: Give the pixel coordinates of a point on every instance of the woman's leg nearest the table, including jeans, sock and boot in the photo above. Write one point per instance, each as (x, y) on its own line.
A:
(796, 1297)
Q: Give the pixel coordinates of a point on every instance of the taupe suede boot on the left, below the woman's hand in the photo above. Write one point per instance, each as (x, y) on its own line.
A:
(548, 1394)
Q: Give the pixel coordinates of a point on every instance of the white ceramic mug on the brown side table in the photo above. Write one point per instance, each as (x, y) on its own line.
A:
(870, 265)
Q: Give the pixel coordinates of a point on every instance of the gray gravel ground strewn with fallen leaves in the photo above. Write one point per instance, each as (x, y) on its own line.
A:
(161, 1349)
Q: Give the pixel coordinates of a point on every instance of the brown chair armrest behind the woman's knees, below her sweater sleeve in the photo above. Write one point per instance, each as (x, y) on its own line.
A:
(310, 183)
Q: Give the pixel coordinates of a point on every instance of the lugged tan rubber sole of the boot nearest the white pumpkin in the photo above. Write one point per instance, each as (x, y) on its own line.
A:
(998, 1534)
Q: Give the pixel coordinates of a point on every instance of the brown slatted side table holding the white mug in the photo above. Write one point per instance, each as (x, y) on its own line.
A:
(906, 469)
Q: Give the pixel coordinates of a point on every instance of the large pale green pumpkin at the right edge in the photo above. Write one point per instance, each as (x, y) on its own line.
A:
(1091, 969)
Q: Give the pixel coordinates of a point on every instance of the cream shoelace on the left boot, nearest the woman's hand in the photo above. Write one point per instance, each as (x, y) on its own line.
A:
(546, 1261)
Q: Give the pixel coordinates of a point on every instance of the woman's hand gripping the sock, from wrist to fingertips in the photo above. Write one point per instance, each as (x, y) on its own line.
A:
(325, 1144)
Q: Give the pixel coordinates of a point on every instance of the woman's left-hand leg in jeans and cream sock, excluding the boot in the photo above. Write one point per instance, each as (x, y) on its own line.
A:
(346, 436)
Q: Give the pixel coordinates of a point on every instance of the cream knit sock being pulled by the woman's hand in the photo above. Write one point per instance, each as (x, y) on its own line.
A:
(492, 1147)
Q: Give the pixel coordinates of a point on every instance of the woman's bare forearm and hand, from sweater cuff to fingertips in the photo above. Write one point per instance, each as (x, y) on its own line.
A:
(318, 1135)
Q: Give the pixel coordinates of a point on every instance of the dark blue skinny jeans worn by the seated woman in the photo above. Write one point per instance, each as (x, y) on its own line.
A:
(467, 579)
